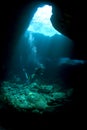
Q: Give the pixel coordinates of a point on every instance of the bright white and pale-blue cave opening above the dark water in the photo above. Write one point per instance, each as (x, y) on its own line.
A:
(41, 23)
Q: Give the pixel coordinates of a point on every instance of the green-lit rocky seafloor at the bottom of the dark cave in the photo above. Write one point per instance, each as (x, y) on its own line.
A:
(35, 97)
